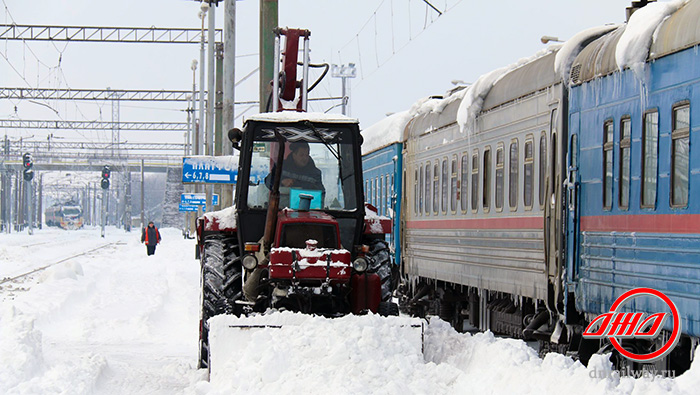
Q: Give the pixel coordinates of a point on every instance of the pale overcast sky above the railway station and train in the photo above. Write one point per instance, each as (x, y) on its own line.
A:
(403, 50)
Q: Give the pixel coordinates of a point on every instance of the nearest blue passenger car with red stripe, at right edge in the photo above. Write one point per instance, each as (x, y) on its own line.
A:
(633, 160)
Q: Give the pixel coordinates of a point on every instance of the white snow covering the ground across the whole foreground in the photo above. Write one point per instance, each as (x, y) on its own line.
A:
(114, 321)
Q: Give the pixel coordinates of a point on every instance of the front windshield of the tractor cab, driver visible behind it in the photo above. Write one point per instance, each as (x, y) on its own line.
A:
(317, 164)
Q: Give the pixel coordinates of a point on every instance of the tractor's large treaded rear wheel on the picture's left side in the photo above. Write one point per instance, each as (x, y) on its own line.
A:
(220, 285)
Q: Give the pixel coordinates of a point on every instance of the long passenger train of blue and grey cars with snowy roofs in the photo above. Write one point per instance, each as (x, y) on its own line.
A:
(529, 201)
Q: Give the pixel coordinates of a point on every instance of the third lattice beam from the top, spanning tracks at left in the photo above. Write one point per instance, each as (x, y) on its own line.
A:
(92, 125)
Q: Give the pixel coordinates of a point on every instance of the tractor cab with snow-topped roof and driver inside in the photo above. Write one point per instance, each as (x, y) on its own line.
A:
(320, 172)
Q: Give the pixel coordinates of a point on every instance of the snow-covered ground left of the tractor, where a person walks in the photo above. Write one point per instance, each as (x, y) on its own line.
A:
(110, 321)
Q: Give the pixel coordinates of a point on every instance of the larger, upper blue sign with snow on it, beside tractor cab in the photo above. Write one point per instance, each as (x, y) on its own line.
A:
(209, 169)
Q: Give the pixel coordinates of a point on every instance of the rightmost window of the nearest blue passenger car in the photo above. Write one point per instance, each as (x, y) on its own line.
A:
(680, 155)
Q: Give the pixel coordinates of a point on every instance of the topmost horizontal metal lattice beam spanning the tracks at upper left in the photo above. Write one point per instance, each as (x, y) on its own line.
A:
(103, 34)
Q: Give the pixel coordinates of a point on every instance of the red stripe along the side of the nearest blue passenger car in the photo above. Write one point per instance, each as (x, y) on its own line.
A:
(651, 223)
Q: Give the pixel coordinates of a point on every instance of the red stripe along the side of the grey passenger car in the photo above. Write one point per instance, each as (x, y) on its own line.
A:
(536, 223)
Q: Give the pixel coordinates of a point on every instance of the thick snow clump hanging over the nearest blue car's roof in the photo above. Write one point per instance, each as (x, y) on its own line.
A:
(633, 48)
